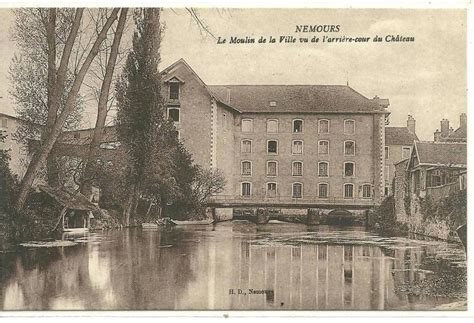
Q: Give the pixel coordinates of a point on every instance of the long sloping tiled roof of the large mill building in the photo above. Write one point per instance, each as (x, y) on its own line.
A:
(295, 98)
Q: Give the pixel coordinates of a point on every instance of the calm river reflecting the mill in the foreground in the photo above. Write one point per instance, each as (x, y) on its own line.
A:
(234, 266)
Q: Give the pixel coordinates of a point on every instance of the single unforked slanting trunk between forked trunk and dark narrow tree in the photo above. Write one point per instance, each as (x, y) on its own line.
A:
(93, 153)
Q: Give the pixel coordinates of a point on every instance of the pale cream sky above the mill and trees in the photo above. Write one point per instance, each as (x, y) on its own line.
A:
(425, 78)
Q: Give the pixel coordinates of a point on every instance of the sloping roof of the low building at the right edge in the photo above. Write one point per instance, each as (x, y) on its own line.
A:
(442, 153)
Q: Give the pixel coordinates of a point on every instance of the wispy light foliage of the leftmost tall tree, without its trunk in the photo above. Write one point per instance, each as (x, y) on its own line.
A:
(28, 75)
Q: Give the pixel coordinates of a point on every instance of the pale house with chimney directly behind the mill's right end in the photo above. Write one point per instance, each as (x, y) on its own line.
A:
(398, 144)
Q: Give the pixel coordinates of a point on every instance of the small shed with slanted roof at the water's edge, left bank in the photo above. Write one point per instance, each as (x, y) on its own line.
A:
(76, 210)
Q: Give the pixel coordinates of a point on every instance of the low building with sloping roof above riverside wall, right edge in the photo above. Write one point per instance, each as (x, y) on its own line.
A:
(436, 169)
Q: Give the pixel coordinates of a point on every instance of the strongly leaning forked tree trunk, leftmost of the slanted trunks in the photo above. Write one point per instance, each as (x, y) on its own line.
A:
(41, 155)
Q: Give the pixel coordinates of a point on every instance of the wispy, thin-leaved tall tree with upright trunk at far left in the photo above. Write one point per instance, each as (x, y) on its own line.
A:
(39, 34)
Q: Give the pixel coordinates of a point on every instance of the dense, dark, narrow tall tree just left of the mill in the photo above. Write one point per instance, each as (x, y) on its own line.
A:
(140, 106)
